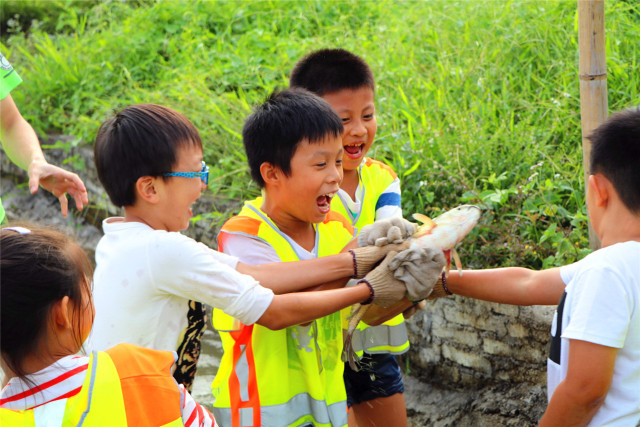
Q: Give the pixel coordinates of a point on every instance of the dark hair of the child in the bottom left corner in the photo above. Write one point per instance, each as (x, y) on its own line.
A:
(38, 269)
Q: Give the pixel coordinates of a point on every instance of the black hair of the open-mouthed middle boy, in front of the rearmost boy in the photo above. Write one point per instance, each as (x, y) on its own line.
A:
(276, 127)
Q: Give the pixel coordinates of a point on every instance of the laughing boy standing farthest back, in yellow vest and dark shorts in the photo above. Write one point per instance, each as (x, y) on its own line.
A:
(370, 191)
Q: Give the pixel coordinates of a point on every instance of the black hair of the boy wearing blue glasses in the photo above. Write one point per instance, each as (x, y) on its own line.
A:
(141, 140)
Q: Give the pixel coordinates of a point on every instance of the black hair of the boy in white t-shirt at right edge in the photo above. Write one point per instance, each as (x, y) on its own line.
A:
(615, 153)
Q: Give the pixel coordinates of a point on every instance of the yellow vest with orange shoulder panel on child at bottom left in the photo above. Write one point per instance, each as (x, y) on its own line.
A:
(126, 385)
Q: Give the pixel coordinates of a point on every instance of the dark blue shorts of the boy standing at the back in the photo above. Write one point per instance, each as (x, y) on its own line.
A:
(379, 376)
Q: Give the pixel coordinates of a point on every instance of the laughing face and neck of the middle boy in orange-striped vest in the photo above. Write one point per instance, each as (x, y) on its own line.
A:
(316, 173)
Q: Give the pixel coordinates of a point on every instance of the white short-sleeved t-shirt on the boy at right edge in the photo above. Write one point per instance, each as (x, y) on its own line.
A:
(601, 305)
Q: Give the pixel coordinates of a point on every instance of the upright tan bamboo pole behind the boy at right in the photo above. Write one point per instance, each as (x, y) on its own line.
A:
(593, 80)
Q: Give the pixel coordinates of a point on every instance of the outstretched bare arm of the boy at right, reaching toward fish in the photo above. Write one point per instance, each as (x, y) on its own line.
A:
(511, 285)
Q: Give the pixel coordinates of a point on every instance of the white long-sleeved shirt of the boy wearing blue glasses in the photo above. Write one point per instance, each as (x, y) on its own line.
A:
(144, 279)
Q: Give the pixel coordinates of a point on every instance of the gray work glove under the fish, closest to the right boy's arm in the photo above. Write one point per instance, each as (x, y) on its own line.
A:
(419, 269)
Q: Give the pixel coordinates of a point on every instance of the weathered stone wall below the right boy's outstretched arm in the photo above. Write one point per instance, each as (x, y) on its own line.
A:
(482, 363)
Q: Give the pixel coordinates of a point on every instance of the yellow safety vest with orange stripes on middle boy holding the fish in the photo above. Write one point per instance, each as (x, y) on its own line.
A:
(289, 377)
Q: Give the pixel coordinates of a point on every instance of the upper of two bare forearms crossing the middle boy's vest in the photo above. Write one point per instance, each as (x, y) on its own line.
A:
(284, 277)
